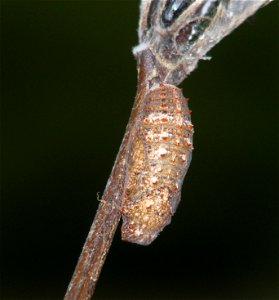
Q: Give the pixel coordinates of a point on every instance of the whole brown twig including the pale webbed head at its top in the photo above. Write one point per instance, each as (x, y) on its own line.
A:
(164, 55)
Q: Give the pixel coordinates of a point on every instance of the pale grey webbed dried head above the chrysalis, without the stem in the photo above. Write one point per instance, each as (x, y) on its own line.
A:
(179, 33)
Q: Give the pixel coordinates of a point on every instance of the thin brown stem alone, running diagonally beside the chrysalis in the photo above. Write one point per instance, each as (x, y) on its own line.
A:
(99, 239)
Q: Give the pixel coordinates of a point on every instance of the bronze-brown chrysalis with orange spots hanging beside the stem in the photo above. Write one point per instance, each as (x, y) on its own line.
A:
(160, 155)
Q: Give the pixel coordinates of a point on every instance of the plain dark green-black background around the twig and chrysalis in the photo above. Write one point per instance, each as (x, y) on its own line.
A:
(68, 84)
